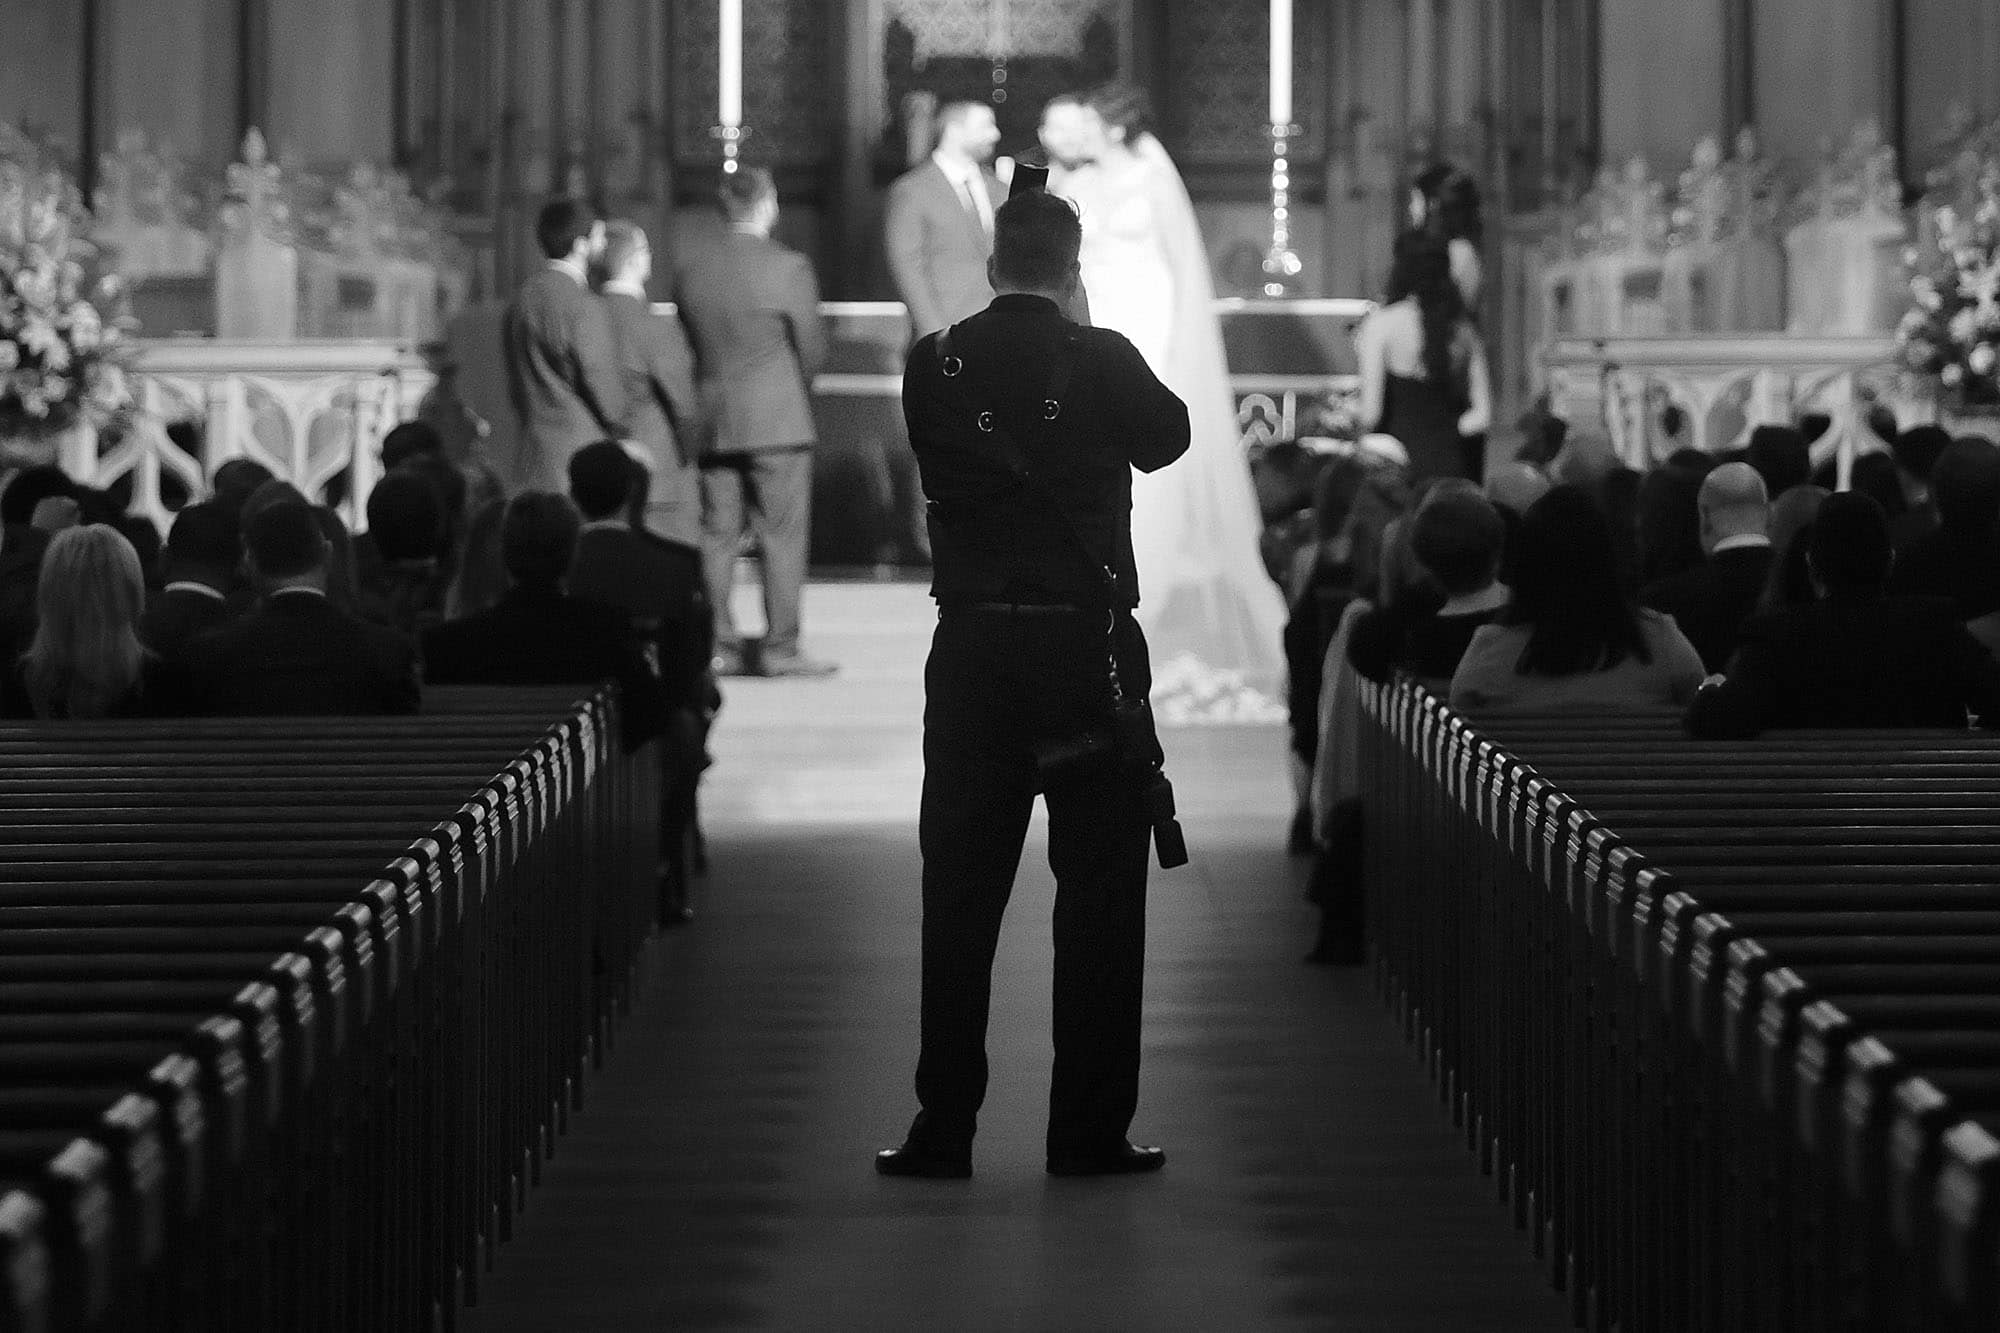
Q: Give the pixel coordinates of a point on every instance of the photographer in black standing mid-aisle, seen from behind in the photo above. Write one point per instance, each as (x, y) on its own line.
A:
(1027, 425)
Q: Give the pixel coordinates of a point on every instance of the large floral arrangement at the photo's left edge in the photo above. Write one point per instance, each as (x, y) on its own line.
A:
(63, 327)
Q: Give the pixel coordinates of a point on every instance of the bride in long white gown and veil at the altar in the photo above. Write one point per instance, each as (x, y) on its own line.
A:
(1211, 613)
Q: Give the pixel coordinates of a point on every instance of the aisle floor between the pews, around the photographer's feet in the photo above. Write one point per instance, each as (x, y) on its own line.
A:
(719, 1176)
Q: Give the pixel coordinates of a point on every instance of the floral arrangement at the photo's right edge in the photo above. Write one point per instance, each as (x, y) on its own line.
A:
(1951, 335)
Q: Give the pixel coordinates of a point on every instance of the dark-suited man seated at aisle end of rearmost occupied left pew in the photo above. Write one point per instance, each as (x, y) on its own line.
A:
(541, 635)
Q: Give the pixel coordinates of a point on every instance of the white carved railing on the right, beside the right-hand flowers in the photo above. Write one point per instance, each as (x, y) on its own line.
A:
(1727, 385)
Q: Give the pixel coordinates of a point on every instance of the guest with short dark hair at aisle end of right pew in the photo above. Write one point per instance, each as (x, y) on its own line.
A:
(1459, 539)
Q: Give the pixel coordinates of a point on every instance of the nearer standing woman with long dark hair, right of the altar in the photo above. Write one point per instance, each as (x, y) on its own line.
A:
(1423, 365)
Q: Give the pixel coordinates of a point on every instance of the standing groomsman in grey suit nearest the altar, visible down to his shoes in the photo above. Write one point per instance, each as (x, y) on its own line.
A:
(753, 311)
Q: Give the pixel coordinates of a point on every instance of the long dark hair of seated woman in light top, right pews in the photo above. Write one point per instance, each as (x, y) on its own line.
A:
(1567, 589)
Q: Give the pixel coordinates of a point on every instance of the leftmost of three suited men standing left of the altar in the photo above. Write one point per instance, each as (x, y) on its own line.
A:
(561, 365)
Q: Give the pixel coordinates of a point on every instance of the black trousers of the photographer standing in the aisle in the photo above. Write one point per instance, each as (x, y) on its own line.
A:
(997, 686)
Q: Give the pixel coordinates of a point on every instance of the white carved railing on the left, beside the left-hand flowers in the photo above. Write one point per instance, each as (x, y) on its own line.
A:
(307, 411)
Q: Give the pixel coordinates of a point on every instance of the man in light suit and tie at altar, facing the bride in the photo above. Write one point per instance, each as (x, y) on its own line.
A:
(939, 223)
